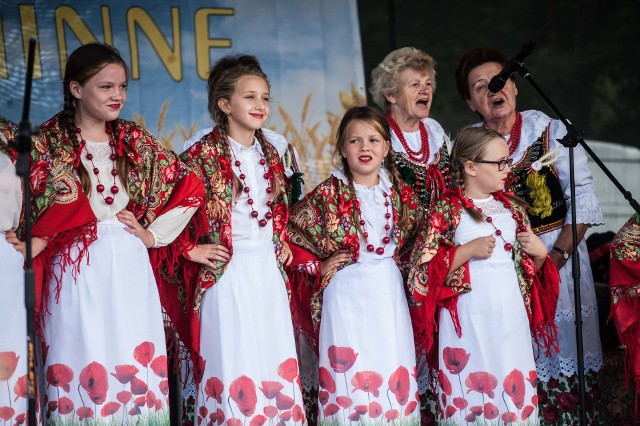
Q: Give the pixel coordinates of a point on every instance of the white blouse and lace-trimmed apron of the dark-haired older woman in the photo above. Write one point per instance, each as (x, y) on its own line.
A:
(588, 212)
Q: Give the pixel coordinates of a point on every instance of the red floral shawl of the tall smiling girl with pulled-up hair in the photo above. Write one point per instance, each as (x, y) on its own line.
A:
(189, 280)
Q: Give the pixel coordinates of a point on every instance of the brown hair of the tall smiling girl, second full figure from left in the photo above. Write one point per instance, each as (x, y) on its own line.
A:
(222, 82)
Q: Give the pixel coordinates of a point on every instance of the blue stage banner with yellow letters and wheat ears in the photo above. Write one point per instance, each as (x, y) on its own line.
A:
(310, 50)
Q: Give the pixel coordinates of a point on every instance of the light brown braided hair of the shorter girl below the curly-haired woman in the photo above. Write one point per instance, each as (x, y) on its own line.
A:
(377, 121)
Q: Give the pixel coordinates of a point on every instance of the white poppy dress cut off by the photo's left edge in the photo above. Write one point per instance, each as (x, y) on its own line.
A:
(13, 315)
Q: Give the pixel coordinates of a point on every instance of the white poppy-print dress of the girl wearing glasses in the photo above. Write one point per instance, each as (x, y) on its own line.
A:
(488, 374)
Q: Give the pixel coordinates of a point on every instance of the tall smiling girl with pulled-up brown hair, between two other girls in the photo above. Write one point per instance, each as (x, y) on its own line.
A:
(241, 330)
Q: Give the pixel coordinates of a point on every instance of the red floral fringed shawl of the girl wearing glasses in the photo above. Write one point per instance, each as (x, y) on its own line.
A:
(434, 287)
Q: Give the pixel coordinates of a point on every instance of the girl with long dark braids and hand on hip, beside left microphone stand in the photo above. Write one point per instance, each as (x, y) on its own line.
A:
(104, 191)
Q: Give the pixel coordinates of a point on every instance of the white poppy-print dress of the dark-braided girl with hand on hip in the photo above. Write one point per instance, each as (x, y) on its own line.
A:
(104, 342)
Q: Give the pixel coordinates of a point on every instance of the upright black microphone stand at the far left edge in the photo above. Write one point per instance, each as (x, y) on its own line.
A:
(23, 145)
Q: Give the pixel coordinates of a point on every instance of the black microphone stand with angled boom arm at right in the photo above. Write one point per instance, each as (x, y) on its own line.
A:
(571, 140)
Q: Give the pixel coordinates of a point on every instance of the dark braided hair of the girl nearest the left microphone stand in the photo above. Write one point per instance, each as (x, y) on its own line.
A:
(85, 62)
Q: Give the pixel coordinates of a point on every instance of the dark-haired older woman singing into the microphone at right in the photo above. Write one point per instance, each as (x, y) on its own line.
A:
(540, 176)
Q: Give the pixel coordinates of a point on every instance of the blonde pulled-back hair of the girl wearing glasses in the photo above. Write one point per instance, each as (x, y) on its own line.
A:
(471, 145)
